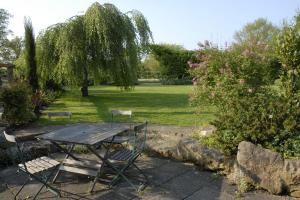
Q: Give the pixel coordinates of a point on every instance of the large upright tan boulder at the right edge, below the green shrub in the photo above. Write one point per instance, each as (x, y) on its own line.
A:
(268, 169)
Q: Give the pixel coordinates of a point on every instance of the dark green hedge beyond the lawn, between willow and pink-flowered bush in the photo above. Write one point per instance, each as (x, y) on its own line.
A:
(173, 60)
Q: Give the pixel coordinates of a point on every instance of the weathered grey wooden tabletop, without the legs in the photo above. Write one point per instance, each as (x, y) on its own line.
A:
(85, 134)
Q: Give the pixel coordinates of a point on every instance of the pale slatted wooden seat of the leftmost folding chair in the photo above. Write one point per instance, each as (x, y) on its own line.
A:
(38, 165)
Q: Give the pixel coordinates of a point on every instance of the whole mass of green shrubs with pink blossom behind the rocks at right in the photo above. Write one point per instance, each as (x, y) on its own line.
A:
(248, 107)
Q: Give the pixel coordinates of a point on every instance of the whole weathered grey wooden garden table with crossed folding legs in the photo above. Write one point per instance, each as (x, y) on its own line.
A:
(87, 135)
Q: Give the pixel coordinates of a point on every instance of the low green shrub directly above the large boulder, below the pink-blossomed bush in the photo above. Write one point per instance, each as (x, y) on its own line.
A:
(261, 118)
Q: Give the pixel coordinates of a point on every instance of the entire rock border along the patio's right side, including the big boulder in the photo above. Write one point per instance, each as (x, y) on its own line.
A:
(255, 165)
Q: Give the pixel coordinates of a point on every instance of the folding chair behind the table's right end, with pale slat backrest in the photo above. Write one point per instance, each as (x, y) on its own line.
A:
(119, 139)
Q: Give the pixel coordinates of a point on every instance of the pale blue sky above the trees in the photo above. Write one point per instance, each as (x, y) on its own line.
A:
(183, 22)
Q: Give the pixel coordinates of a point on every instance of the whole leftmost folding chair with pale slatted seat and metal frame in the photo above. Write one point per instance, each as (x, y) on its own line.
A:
(35, 169)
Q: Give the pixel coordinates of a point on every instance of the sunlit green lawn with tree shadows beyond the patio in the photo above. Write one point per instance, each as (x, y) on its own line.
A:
(157, 104)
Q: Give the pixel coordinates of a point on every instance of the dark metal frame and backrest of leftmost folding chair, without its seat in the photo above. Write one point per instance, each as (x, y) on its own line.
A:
(38, 176)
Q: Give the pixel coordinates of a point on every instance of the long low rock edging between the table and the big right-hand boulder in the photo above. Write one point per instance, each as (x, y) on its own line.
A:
(175, 142)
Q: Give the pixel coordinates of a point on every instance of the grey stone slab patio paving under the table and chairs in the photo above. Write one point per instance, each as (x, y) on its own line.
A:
(170, 180)
